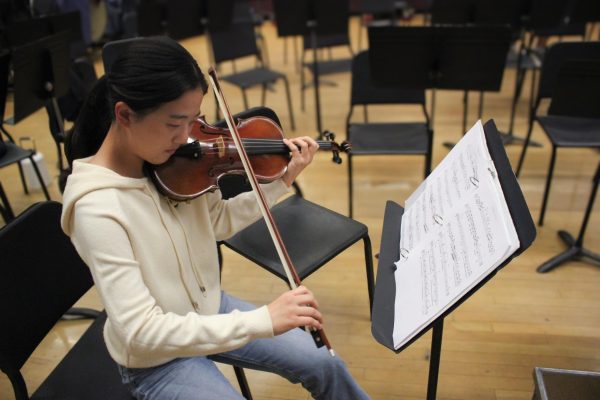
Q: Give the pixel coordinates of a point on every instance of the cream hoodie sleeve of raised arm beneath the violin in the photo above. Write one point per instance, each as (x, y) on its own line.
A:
(231, 216)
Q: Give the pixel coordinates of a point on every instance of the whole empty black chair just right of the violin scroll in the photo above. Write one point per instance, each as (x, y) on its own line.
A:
(369, 138)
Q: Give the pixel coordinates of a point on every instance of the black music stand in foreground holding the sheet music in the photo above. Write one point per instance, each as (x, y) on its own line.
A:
(385, 287)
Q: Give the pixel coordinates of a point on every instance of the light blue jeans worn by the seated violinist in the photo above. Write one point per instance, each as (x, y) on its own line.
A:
(292, 355)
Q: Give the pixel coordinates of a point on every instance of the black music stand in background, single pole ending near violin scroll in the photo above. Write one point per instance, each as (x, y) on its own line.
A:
(312, 18)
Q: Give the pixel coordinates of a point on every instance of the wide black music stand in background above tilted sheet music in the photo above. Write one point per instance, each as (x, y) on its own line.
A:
(440, 57)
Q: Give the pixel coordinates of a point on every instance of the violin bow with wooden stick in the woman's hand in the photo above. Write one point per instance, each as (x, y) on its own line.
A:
(293, 279)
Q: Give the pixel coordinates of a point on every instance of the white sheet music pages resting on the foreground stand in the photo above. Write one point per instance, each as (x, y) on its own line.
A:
(455, 230)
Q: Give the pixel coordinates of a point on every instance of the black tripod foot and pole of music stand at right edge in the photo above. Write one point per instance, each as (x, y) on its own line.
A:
(576, 249)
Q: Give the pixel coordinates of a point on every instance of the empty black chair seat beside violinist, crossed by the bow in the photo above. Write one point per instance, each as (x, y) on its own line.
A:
(313, 235)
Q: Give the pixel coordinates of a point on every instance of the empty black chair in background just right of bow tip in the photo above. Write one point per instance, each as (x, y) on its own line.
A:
(239, 41)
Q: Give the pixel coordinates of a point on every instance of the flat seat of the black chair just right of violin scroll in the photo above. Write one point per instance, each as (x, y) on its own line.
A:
(389, 138)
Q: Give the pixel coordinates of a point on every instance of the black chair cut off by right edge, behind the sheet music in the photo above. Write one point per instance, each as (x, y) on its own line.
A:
(570, 76)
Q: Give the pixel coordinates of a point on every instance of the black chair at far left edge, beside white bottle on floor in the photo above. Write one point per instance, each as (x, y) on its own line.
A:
(12, 153)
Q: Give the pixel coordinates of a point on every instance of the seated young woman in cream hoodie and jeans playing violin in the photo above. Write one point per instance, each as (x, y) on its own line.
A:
(155, 263)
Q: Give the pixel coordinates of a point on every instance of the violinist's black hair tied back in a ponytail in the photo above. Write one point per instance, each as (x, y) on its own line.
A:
(152, 71)
